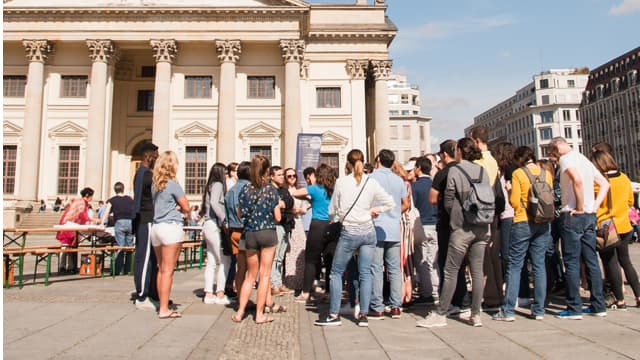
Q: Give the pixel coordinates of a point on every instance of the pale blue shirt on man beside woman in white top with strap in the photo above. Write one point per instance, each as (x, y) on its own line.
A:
(387, 224)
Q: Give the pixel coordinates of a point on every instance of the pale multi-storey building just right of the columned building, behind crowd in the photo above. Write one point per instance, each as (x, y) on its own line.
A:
(410, 133)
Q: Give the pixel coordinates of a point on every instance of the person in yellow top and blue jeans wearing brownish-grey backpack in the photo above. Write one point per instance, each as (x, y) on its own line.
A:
(532, 200)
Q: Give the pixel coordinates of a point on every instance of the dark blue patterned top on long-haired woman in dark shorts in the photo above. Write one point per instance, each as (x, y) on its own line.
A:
(256, 207)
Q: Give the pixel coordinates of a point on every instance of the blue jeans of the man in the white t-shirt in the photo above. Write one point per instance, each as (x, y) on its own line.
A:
(579, 240)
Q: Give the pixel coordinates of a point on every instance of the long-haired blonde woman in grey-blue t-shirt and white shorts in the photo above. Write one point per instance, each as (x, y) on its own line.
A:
(170, 207)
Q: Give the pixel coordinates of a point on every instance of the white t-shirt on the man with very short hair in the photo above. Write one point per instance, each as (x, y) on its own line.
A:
(587, 171)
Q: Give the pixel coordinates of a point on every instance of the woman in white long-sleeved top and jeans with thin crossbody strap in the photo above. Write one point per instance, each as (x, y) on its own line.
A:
(352, 204)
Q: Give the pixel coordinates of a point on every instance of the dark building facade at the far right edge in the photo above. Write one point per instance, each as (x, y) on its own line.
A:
(611, 110)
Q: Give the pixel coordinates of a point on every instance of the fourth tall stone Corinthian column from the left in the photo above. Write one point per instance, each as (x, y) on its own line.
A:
(228, 53)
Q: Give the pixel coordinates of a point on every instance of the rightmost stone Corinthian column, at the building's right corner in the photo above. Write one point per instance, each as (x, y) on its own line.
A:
(381, 71)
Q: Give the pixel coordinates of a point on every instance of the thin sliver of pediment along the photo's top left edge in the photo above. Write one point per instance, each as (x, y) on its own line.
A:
(153, 3)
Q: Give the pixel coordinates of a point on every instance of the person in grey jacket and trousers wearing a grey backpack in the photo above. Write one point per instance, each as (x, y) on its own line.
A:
(469, 201)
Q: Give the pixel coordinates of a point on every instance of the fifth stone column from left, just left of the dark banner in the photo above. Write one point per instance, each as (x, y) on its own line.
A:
(293, 54)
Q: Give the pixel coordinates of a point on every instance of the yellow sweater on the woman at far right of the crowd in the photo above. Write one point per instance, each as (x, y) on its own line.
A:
(622, 199)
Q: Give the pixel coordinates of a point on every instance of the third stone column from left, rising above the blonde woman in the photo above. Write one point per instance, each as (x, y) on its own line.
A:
(165, 51)
